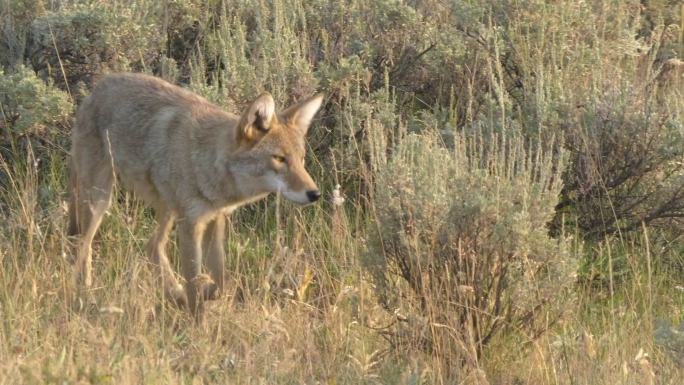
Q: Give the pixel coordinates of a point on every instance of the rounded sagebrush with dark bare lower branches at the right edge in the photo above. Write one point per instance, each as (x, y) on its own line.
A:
(627, 169)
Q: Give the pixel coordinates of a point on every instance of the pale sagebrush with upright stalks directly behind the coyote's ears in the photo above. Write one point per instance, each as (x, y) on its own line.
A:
(255, 47)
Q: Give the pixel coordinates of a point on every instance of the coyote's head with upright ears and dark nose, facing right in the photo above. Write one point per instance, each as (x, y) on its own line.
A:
(271, 148)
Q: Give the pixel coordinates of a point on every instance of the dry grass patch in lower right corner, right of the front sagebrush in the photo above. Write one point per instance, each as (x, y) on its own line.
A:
(608, 339)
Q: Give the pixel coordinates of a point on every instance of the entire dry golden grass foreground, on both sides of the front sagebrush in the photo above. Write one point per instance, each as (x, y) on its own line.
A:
(304, 313)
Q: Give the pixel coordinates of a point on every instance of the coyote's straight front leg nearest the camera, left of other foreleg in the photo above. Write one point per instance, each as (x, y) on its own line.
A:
(190, 235)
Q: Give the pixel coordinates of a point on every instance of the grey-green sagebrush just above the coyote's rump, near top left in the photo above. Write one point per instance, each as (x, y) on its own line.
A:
(74, 44)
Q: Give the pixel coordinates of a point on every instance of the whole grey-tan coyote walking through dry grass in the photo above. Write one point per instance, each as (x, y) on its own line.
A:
(190, 161)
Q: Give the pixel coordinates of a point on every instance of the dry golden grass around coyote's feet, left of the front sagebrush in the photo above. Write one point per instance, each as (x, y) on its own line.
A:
(289, 318)
